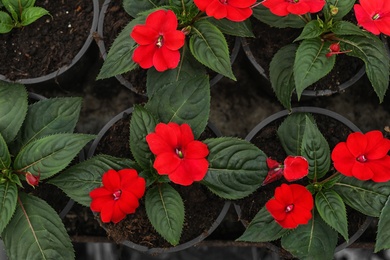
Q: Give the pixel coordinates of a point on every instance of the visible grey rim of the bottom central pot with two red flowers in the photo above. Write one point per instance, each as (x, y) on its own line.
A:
(153, 251)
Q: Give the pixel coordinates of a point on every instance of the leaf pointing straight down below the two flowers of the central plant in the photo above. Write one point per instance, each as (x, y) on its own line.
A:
(165, 210)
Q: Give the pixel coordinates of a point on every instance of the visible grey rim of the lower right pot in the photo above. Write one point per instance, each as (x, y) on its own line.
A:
(313, 110)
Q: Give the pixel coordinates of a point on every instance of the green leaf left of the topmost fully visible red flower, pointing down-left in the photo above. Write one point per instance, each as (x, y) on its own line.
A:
(120, 56)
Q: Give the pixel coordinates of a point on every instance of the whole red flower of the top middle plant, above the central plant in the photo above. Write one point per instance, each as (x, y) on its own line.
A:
(159, 41)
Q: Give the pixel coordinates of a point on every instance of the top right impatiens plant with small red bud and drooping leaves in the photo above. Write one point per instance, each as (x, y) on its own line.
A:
(326, 33)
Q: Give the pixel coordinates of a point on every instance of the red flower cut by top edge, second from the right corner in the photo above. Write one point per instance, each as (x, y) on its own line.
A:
(297, 7)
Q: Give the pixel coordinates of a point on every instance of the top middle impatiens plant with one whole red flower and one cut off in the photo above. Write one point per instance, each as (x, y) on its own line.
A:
(173, 38)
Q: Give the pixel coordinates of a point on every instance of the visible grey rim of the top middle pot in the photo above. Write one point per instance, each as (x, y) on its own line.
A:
(104, 49)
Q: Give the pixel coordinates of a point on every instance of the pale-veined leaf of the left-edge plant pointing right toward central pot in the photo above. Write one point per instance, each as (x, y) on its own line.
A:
(50, 154)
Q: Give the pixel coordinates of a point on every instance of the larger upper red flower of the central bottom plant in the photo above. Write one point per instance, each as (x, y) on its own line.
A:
(178, 155)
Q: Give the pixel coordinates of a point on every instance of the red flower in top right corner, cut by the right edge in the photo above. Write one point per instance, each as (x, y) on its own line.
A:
(374, 15)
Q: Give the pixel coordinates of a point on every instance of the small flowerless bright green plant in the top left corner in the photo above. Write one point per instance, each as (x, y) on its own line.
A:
(19, 13)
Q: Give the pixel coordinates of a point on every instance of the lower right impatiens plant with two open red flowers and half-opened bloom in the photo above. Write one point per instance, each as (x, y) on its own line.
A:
(308, 216)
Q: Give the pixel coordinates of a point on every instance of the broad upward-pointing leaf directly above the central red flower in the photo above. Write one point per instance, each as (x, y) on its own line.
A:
(184, 101)
